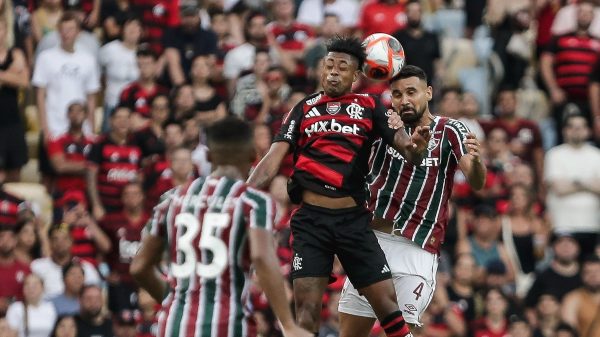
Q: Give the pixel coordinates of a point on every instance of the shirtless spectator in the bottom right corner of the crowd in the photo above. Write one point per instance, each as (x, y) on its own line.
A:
(577, 305)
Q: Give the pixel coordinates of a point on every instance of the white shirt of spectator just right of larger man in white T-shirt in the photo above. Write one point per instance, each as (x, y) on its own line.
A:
(120, 67)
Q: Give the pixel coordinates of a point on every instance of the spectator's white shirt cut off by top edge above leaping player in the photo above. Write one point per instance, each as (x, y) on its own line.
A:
(314, 13)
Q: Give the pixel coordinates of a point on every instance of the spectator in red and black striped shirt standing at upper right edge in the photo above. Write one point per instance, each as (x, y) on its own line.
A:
(566, 65)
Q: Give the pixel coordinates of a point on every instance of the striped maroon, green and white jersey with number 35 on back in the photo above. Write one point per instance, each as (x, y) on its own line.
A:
(205, 226)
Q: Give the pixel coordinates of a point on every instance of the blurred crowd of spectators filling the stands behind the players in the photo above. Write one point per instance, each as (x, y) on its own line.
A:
(103, 104)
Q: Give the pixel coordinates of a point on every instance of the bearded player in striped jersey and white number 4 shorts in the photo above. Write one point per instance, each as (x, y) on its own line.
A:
(410, 203)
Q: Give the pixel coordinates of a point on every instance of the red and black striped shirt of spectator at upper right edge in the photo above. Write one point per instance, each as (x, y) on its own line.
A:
(574, 59)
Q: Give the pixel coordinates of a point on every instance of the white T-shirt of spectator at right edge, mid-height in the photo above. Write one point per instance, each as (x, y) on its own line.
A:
(576, 212)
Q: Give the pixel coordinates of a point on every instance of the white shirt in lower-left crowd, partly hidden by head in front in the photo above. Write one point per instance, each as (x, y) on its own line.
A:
(51, 273)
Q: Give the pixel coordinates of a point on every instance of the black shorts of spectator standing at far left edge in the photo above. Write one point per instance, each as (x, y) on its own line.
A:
(13, 148)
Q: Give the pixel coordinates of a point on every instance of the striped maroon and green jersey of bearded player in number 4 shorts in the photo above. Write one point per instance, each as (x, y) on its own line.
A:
(416, 198)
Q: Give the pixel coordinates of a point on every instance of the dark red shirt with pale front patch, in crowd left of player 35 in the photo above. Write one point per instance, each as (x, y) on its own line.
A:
(125, 236)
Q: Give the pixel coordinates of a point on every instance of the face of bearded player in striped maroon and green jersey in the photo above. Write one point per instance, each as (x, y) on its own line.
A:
(410, 97)
